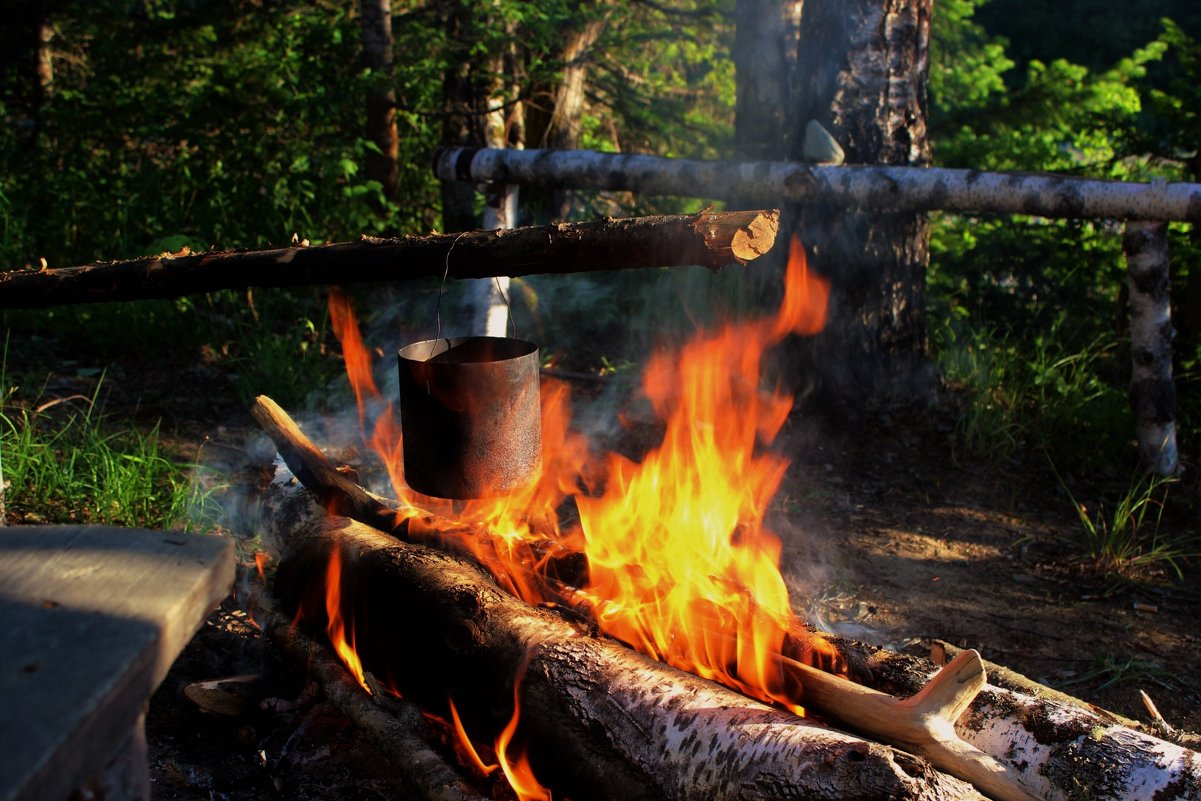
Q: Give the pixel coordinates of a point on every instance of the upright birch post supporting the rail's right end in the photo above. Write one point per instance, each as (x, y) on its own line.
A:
(1152, 391)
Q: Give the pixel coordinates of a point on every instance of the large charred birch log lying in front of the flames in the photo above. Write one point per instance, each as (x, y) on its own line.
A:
(602, 721)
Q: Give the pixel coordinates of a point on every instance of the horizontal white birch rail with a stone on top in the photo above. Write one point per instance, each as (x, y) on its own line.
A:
(905, 189)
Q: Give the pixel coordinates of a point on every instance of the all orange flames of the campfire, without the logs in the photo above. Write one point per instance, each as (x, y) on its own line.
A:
(682, 566)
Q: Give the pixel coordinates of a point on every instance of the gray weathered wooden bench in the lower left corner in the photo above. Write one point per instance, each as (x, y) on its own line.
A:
(91, 620)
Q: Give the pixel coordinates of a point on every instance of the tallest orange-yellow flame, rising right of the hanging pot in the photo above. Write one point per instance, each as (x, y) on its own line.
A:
(677, 547)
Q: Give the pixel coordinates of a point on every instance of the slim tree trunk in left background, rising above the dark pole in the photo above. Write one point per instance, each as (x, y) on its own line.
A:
(381, 101)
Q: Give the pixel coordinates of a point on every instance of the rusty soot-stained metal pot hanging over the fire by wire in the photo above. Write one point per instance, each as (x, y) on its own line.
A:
(470, 416)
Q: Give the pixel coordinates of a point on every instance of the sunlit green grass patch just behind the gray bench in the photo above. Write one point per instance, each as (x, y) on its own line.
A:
(69, 463)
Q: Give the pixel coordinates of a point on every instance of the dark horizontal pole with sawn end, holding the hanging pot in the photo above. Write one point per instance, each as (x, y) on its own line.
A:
(712, 240)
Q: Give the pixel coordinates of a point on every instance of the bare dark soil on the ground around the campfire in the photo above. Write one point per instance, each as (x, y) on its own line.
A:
(888, 540)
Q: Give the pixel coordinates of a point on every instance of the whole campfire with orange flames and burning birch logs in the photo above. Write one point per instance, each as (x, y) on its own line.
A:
(530, 665)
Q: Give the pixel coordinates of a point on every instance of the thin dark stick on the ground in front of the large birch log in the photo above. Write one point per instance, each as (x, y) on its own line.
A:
(401, 737)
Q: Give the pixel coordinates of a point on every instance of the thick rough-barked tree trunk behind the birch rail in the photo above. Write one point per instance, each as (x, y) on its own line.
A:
(863, 76)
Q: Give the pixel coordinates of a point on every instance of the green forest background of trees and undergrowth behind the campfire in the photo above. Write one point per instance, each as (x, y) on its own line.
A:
(138, 128)
